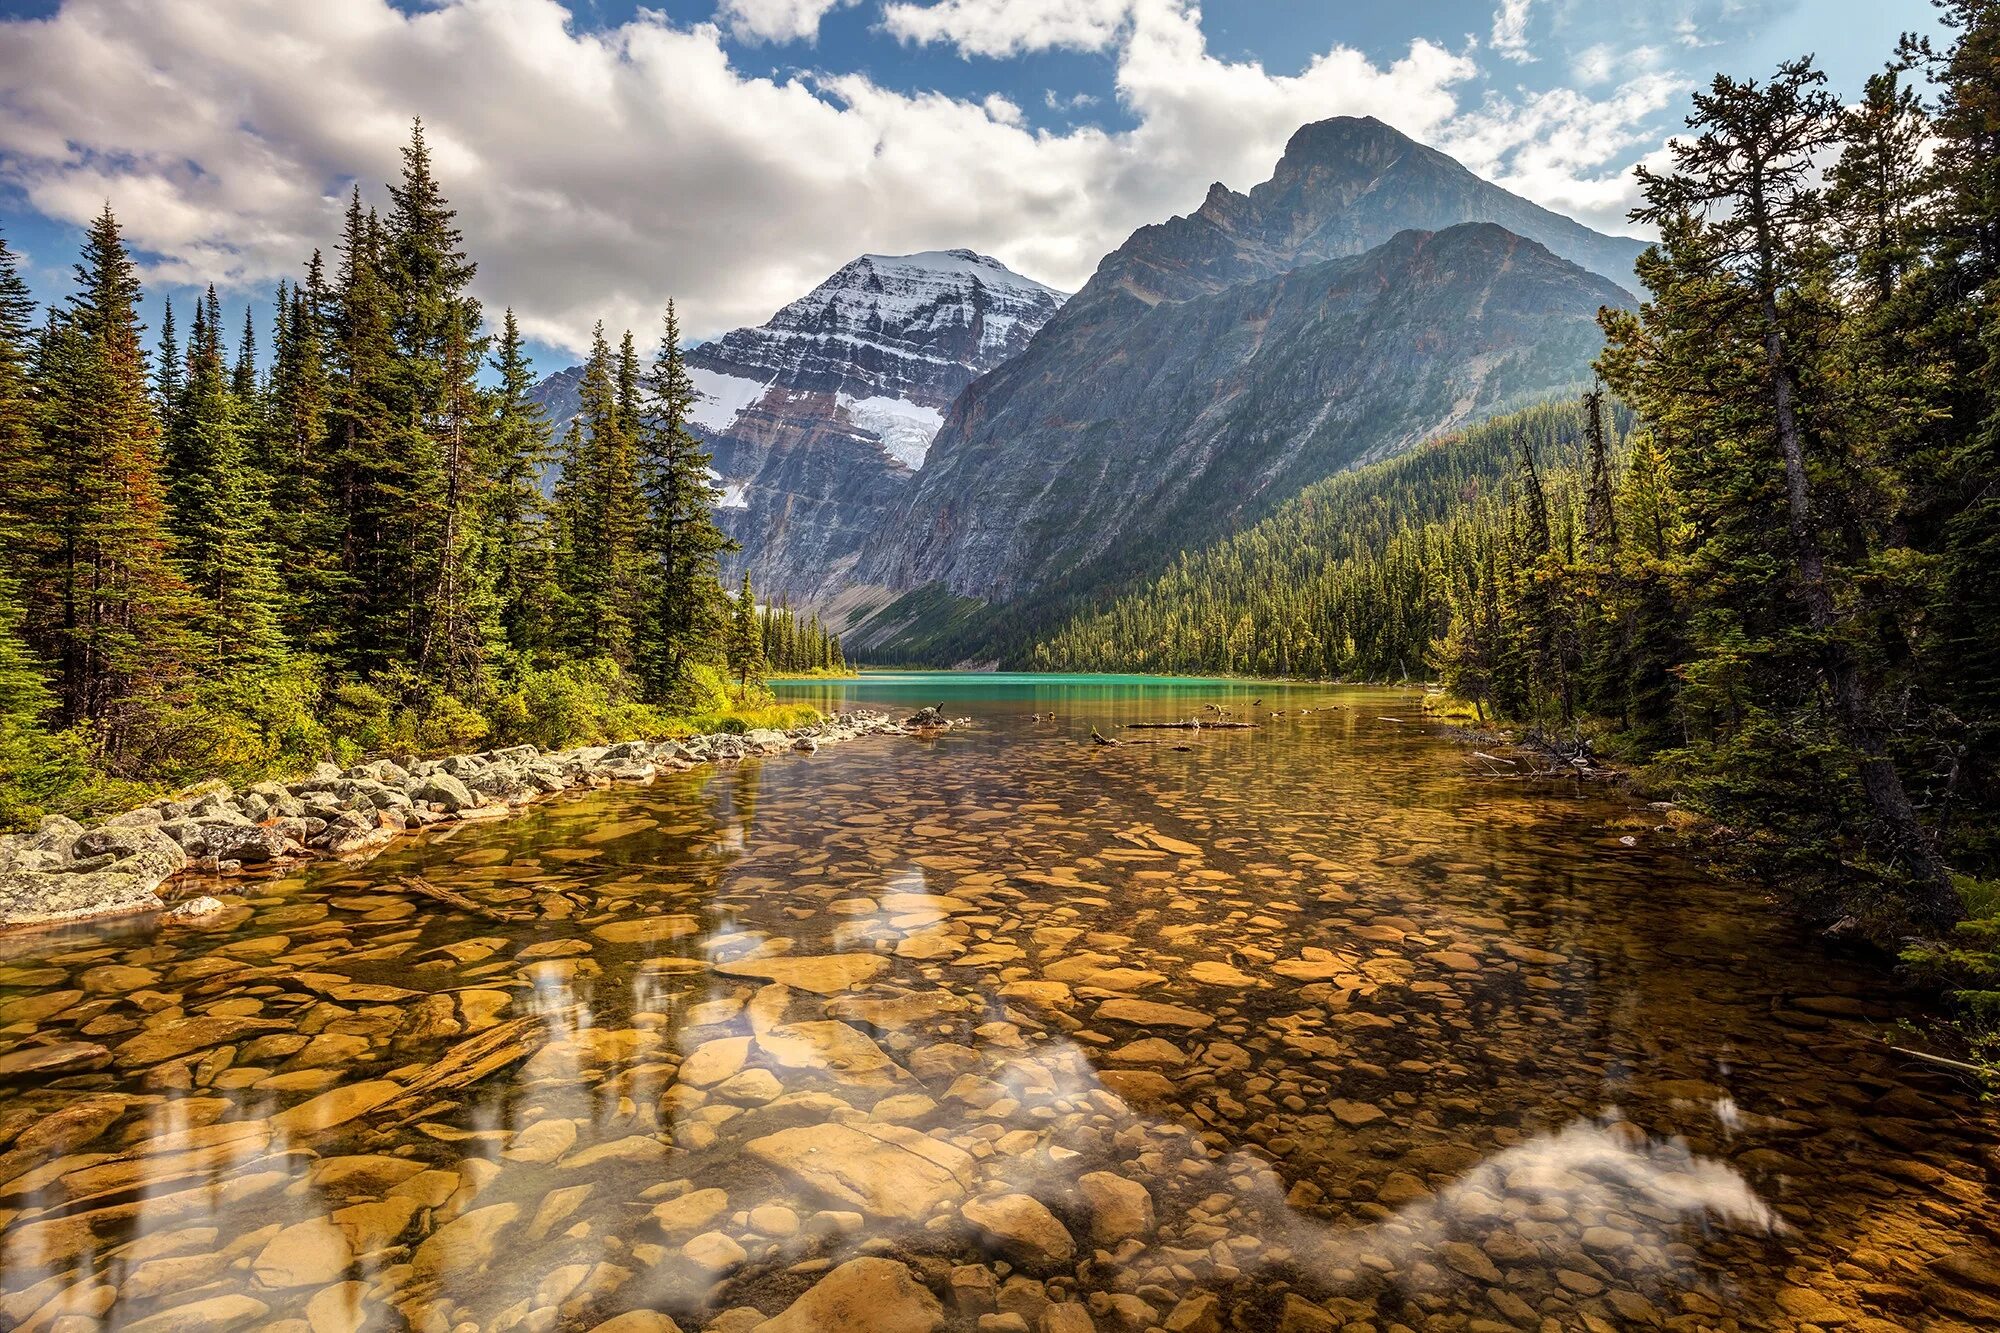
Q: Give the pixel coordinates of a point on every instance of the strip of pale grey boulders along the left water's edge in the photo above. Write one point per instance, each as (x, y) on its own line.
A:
(65, 872)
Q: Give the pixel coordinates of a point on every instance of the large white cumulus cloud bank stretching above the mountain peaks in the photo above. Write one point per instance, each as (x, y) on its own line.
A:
(601, 171)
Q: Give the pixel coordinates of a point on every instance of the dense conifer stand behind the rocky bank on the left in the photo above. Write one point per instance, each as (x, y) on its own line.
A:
(221, 559)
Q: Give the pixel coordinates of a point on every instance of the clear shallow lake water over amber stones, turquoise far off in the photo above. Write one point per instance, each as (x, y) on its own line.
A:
(1303, 1028)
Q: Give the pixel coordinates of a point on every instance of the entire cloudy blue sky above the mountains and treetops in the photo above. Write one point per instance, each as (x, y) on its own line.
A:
(731, 153)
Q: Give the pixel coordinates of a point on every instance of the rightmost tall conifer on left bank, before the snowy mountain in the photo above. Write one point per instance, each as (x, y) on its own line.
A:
(681, 535)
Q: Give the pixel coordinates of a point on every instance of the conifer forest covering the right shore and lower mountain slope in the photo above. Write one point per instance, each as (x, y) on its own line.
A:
(1765, 563)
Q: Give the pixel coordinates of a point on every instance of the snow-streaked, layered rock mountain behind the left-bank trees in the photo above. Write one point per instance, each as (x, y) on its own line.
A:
(819, 417)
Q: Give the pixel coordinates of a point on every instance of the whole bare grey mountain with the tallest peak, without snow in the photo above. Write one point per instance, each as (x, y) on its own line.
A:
(1369, 295)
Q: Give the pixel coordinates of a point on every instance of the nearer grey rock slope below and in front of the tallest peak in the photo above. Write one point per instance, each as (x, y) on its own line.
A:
(1195, 417)
